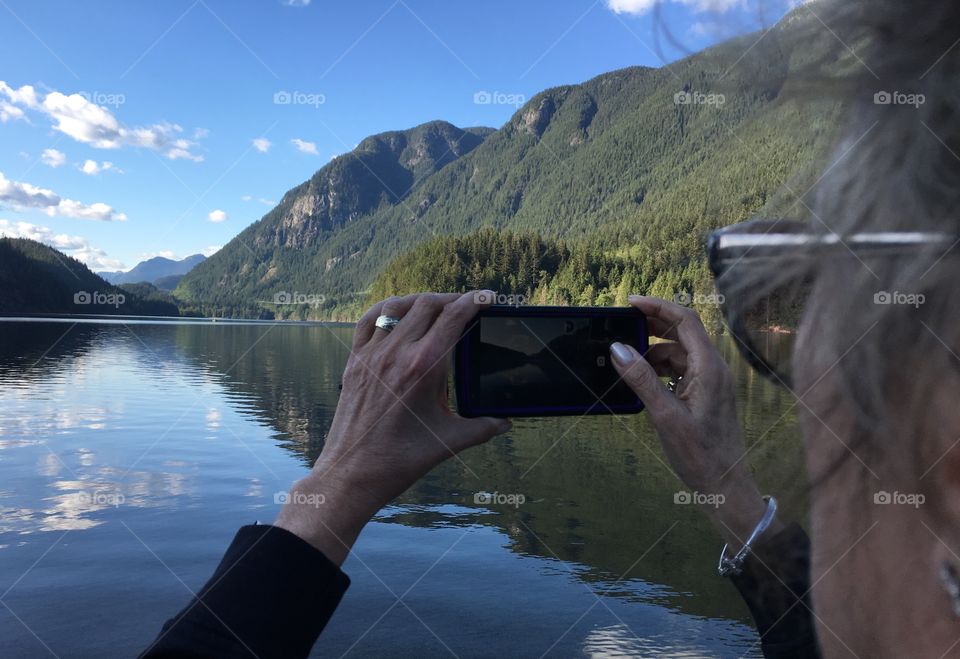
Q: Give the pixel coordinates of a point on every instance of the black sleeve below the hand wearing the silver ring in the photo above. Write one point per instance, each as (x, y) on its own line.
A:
(271, 596)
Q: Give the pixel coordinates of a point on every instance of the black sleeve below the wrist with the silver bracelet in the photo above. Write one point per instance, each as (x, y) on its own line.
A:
(775, 584)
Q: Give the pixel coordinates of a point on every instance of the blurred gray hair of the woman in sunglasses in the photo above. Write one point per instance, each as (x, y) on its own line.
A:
(897, 168)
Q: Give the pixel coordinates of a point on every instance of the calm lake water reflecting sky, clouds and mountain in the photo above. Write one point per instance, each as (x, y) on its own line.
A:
(131, 453)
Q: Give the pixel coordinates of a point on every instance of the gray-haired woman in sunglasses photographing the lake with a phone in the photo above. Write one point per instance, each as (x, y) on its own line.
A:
(874, 368)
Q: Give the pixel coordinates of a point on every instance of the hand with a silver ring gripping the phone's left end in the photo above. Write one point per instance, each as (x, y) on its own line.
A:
(393, 423)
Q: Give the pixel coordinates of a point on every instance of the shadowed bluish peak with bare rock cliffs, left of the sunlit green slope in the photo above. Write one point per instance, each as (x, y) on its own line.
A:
(285, 250)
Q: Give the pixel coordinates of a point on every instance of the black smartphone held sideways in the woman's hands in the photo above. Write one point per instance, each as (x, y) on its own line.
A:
(517, 361)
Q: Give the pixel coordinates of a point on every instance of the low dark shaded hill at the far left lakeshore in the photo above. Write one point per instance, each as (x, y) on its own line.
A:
(36, 278)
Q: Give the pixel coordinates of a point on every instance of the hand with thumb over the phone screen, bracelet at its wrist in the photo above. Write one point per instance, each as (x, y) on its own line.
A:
(698, 424)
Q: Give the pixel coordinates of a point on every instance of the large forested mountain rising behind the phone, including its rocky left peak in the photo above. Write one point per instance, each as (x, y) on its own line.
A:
(641, 162)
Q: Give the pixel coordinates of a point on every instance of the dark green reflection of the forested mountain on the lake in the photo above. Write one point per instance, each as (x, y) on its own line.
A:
(598, 491)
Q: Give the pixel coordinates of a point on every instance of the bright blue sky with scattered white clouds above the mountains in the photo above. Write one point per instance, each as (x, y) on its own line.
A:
(132, 129)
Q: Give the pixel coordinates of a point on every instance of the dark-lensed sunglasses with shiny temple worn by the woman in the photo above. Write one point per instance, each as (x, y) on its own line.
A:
(763, 321)
